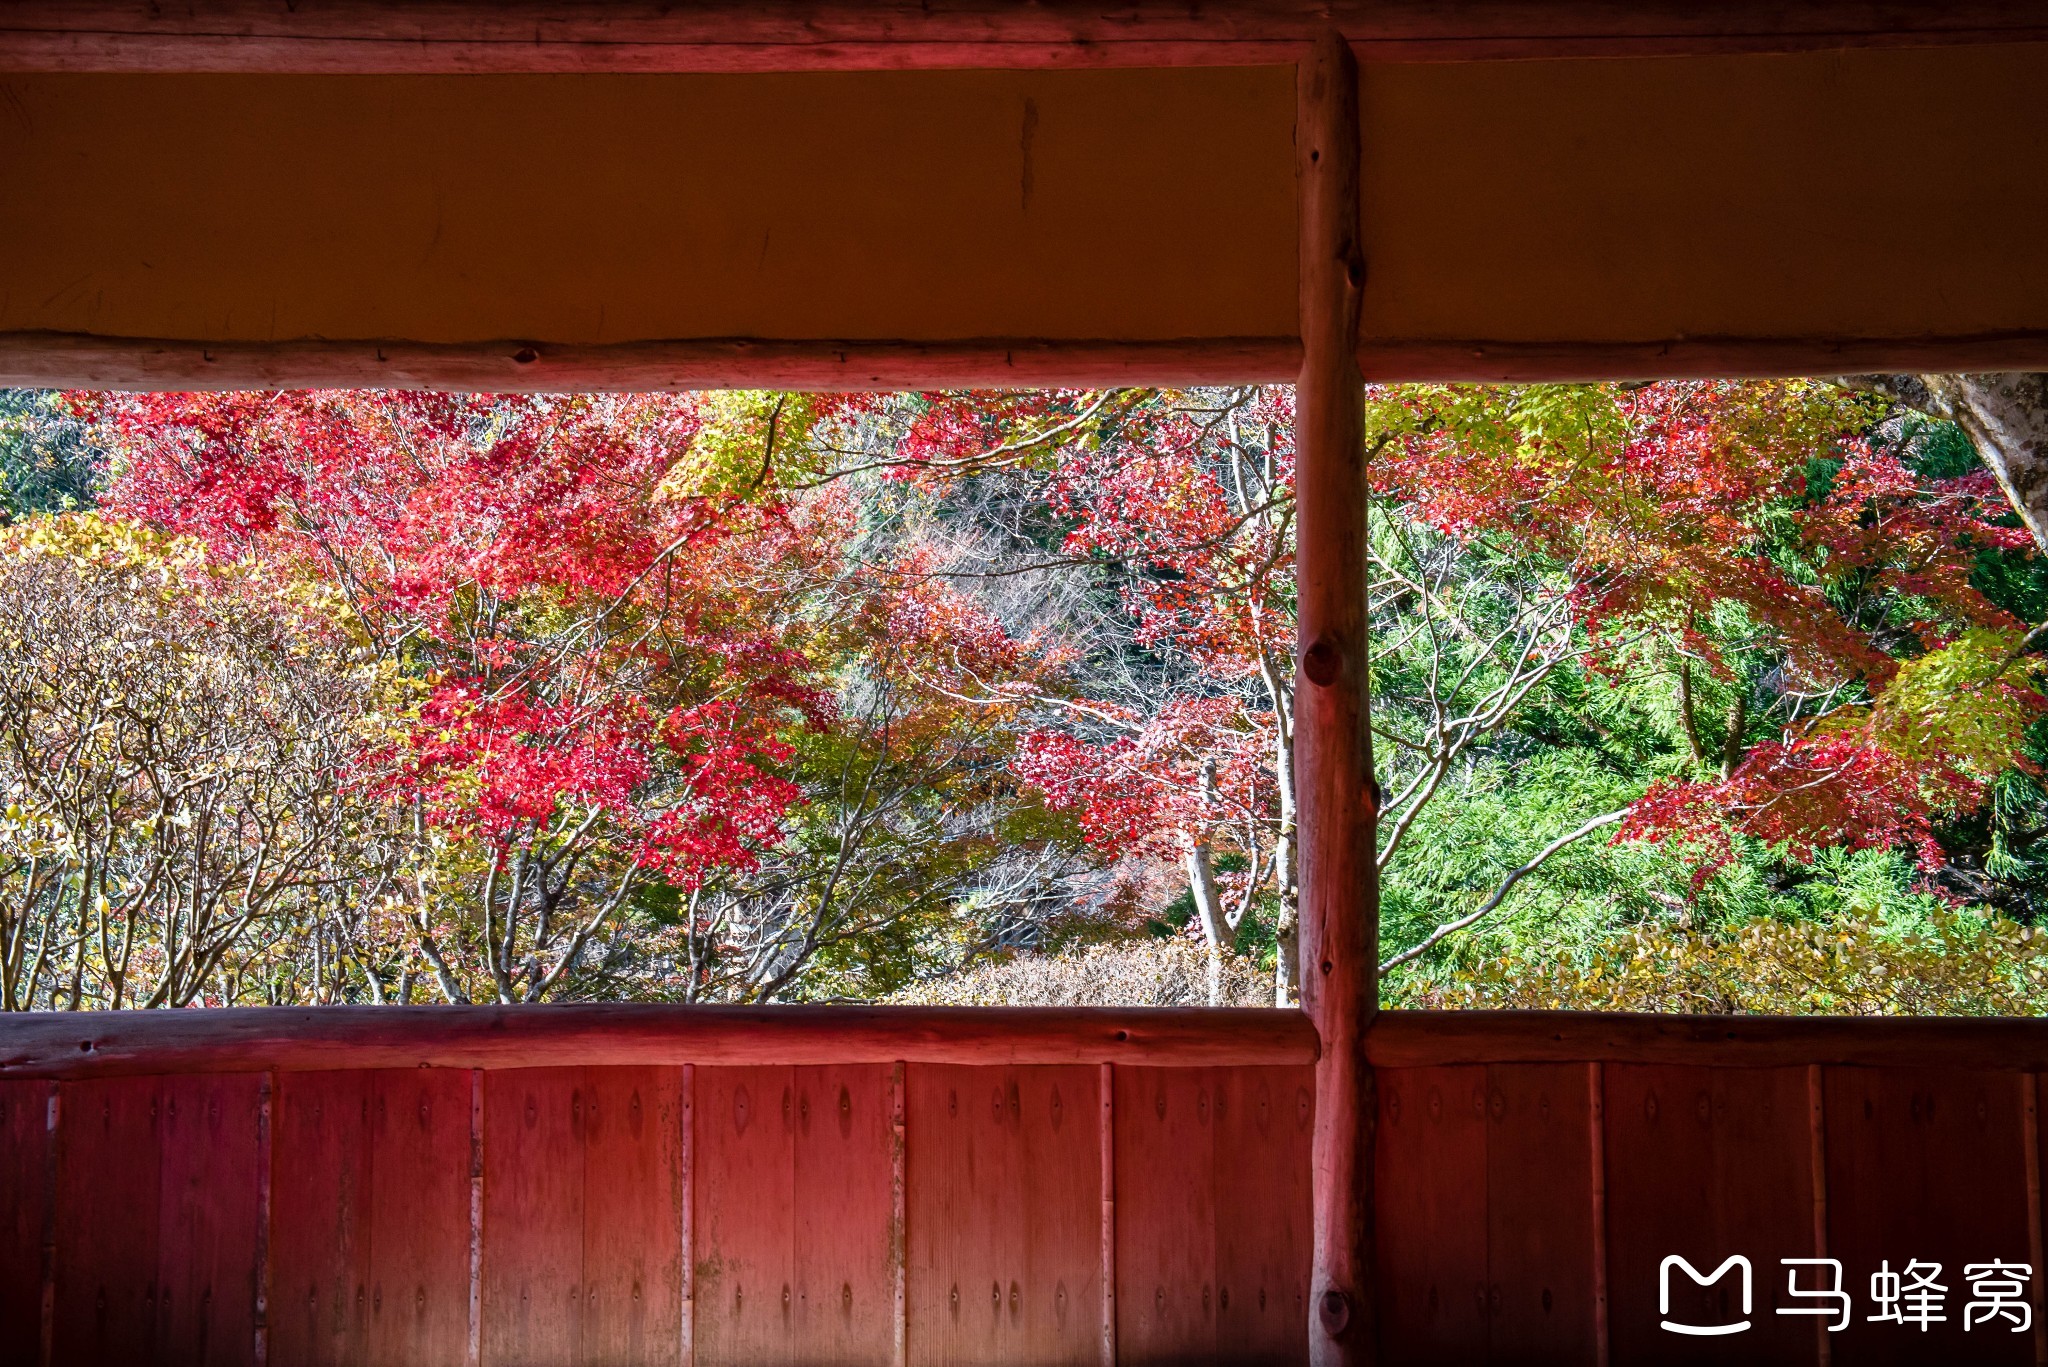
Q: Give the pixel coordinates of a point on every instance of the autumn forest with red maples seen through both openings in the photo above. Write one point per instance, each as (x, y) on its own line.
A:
(1687, 698)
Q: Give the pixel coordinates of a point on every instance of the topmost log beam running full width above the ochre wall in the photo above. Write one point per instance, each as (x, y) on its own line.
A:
(753, 36)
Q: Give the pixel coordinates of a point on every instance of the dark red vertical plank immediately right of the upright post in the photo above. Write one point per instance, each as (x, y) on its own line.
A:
(1433, 1214)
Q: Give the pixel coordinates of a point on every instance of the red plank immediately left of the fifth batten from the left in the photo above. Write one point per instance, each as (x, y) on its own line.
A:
(843, 1192)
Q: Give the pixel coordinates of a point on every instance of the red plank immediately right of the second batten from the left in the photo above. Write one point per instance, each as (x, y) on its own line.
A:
(321, 1229)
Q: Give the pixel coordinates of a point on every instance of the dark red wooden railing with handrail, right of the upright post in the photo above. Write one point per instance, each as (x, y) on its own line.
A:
(1537, 1169)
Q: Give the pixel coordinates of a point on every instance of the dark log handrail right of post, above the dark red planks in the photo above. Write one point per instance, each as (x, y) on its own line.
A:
(1435, 1038)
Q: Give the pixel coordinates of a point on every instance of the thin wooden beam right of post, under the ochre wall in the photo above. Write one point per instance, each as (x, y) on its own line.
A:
(1703, 358)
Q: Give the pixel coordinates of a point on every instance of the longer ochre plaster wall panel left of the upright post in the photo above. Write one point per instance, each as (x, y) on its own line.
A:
(626, 208)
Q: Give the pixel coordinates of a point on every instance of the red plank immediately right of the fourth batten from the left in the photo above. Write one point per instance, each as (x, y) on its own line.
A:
(744, 1198)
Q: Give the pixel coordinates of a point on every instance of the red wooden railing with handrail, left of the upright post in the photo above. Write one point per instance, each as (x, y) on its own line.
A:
(654, 1186)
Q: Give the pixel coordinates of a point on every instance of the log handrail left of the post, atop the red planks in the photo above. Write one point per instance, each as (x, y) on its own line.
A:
(321, 1038)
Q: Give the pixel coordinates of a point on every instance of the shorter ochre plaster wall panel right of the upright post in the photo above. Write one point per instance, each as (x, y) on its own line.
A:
(1840, 196)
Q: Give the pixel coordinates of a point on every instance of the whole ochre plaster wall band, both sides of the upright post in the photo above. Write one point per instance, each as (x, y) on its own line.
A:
(1824, 196)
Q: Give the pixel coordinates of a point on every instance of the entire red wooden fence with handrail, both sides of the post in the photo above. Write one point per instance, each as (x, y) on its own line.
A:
(646, 1186)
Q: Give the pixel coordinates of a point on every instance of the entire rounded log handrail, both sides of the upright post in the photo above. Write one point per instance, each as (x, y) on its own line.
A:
(318, 1038)
